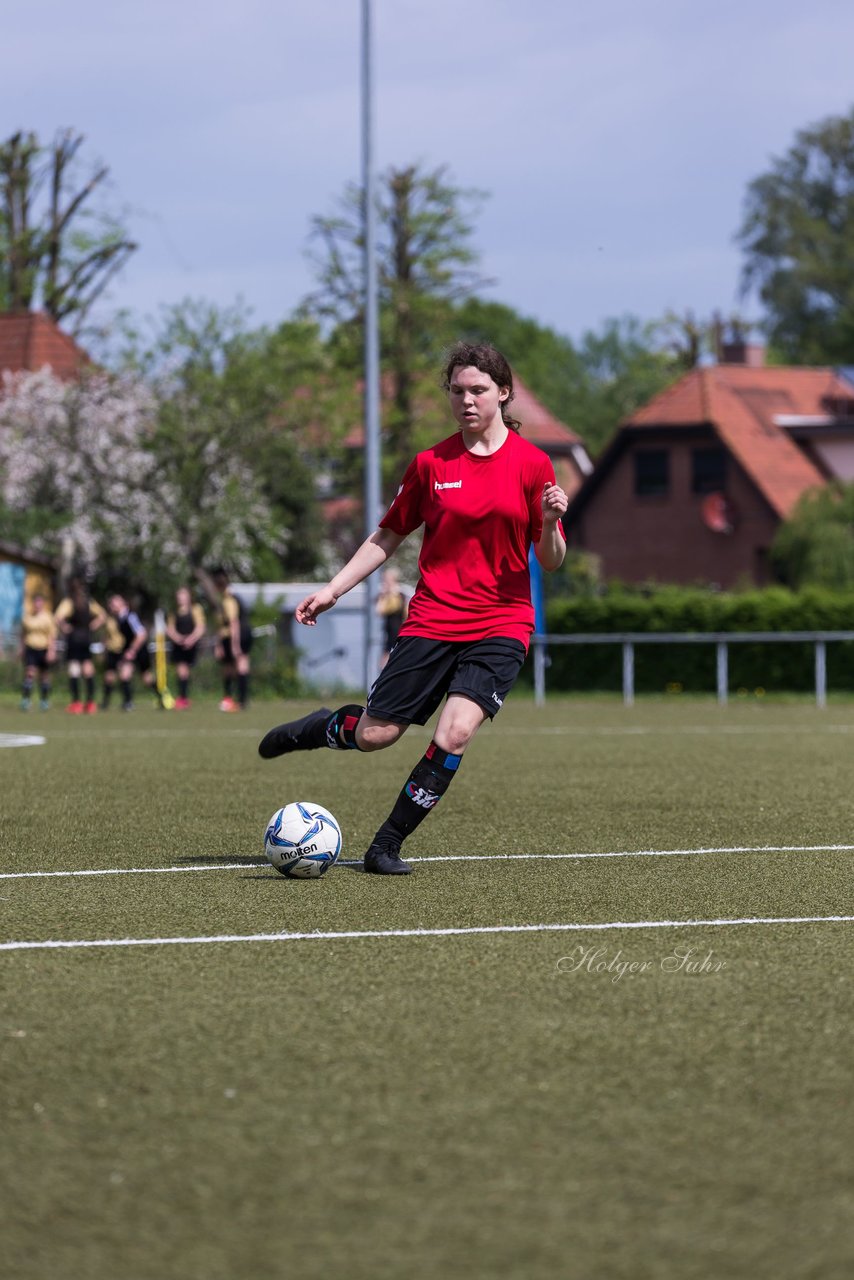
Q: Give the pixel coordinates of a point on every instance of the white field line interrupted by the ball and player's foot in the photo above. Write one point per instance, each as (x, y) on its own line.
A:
(451, 858)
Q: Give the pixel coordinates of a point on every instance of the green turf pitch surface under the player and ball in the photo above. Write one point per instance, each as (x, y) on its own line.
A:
(637, 1100)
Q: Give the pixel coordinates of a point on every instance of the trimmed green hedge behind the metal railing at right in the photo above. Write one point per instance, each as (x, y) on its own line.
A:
(773, 668)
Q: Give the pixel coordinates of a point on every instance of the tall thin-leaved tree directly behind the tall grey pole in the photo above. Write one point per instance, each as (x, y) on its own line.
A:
(426, 263)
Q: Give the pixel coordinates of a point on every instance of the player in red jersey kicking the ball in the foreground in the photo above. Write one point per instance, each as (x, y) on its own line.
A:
(485, 496)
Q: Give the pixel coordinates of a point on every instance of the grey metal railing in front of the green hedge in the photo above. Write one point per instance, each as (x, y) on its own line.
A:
(721, 639)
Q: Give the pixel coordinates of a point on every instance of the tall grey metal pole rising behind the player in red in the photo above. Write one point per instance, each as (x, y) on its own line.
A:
(372, 346)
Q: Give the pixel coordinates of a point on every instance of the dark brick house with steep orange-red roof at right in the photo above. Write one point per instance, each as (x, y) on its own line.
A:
(695, 486)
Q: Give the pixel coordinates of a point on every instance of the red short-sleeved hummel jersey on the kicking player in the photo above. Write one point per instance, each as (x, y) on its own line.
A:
(481, 515)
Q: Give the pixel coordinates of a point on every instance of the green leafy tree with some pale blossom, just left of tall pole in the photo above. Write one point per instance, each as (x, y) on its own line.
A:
(239, 437)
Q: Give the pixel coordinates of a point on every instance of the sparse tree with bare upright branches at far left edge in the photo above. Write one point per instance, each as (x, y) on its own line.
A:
(58, 252)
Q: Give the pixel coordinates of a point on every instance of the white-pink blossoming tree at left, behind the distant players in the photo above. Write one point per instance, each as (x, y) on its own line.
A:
(136, 486)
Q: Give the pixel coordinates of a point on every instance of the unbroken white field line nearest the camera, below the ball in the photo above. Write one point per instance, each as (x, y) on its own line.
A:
(76, 944)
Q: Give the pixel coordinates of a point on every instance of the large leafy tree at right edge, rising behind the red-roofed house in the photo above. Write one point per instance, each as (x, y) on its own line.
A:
(798, 239)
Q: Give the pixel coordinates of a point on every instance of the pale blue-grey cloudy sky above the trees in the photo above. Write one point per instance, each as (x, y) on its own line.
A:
(616, 139)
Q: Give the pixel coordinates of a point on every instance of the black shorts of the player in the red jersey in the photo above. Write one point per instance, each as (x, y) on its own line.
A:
(419, 674)
